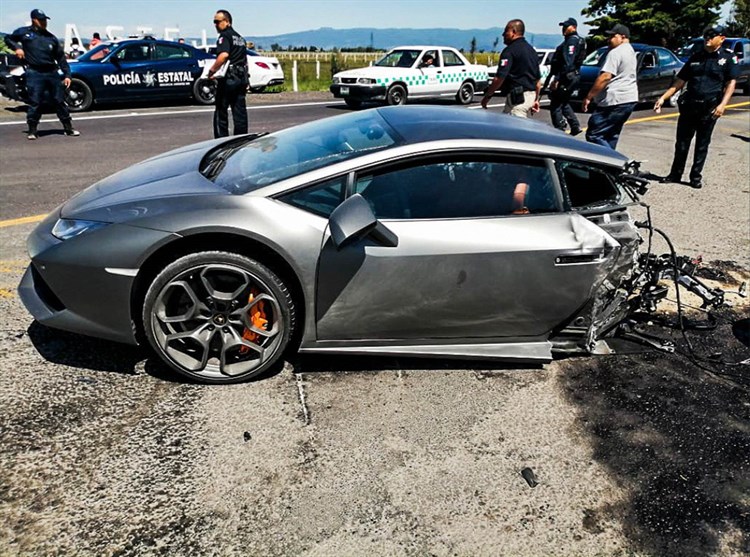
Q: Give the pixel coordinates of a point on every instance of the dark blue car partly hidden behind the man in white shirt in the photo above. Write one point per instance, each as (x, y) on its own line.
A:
(657, 67)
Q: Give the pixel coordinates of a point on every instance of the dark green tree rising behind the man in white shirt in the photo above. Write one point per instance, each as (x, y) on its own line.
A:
(670, 22)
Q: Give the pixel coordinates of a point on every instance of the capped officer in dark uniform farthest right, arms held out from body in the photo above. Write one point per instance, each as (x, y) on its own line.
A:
(710, 75)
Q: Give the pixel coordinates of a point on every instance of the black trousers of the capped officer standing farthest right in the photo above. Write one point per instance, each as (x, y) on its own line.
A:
(694, 121)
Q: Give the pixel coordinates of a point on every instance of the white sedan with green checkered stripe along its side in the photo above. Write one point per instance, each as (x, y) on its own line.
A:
(411, 72)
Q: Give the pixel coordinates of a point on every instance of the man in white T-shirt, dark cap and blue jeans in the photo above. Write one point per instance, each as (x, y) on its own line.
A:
(615, 90)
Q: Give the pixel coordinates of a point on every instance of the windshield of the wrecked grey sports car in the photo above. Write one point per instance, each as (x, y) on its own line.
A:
(243, 167)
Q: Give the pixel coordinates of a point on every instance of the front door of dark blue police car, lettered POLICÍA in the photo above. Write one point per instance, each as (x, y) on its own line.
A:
(132, 72)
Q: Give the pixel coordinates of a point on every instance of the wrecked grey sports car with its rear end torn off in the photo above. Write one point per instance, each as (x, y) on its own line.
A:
(415, 231)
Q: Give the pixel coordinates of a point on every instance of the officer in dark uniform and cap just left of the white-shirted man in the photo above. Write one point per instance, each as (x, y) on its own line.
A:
(565, 70)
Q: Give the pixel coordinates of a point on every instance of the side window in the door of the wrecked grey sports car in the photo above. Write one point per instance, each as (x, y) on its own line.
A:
(466, 187)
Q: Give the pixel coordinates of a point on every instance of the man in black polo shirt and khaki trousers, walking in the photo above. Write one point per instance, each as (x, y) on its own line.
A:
(518, 75)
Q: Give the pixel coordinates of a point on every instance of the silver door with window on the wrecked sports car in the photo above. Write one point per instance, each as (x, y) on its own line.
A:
(475, 257)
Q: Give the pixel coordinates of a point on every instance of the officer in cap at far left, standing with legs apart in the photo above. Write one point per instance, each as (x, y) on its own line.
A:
(43, 56)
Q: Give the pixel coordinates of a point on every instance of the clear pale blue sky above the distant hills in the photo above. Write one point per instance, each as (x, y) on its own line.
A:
(274, 17)
